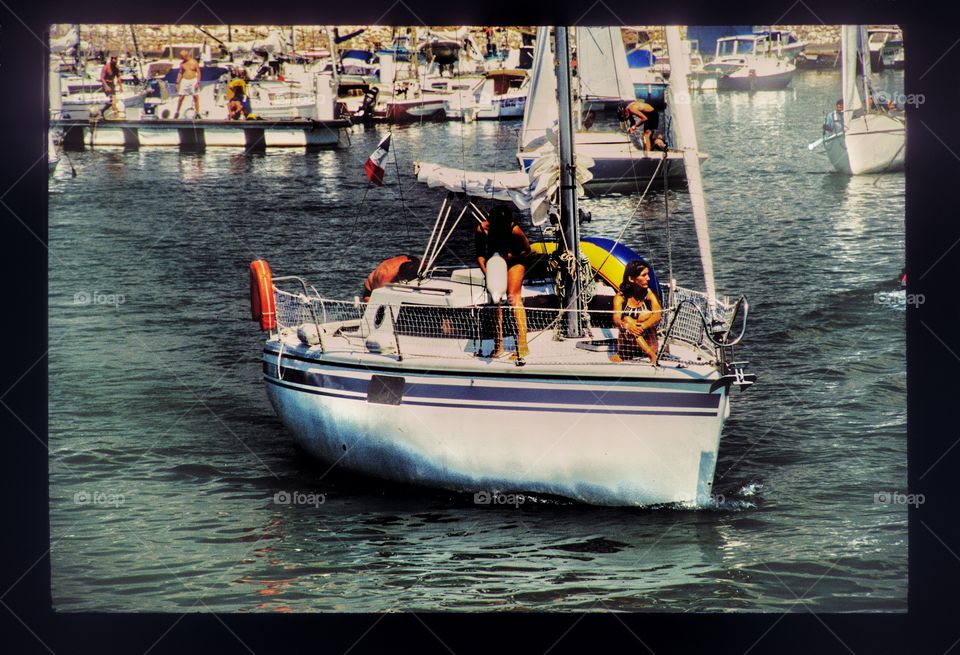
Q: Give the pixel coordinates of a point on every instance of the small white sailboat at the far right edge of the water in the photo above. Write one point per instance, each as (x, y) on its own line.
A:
(863, 138)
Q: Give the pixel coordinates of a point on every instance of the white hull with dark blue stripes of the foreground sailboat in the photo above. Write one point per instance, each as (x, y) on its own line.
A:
(606, 441)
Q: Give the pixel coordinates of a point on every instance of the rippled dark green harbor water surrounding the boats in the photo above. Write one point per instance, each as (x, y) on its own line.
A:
(174, 487)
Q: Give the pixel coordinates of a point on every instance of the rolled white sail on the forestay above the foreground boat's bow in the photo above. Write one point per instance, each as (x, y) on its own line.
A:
(686, 136)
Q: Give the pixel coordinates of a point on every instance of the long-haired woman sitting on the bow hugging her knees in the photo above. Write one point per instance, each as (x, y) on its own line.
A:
(636, 311)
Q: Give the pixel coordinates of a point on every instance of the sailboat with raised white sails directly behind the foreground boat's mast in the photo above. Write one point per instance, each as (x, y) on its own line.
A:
(620, 166)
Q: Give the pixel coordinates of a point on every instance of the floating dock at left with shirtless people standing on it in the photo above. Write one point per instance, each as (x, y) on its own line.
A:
(198, 134)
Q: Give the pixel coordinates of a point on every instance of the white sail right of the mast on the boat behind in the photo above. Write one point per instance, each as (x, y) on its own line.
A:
(602, 64)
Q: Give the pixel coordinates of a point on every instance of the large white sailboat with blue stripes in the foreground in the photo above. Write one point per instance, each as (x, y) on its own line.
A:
(404, 387)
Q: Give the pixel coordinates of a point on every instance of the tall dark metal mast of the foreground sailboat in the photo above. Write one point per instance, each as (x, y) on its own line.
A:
(568, 194)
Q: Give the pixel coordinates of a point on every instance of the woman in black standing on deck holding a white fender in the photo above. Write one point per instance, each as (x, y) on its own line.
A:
(502, 235)
